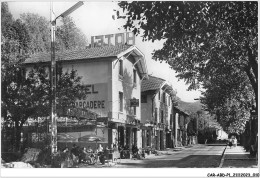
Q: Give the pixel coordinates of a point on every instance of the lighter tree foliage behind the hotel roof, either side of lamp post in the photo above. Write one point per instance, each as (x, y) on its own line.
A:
(68, 35)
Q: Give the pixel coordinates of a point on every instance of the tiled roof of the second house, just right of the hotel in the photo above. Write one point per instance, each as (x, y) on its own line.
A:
(153, 83)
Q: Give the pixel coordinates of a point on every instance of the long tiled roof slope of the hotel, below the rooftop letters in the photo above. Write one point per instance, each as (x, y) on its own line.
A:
(89, 53)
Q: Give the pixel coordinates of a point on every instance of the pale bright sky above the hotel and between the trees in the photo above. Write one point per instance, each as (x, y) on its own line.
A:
(95, 18)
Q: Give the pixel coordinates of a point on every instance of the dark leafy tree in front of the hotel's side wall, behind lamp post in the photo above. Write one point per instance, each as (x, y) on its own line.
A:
(29, 97)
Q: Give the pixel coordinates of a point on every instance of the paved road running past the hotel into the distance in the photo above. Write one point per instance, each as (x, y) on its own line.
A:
(198, 156)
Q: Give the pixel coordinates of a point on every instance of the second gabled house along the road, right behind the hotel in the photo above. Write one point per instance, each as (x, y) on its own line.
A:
(157, 113)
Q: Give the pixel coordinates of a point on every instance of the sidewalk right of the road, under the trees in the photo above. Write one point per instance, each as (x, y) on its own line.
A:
(237, 157)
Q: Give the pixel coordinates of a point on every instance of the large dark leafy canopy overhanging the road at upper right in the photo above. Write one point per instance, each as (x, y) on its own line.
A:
(201, 38)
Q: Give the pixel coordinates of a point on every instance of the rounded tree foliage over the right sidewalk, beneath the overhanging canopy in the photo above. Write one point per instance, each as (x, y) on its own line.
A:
(230, 101)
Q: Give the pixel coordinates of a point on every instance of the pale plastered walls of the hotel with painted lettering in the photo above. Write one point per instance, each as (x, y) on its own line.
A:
(106, 83)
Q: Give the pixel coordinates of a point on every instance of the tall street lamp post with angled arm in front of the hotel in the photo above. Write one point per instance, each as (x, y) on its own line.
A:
(53, 74)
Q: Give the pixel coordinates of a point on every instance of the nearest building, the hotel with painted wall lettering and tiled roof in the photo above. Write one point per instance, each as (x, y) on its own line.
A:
(113, 75)
